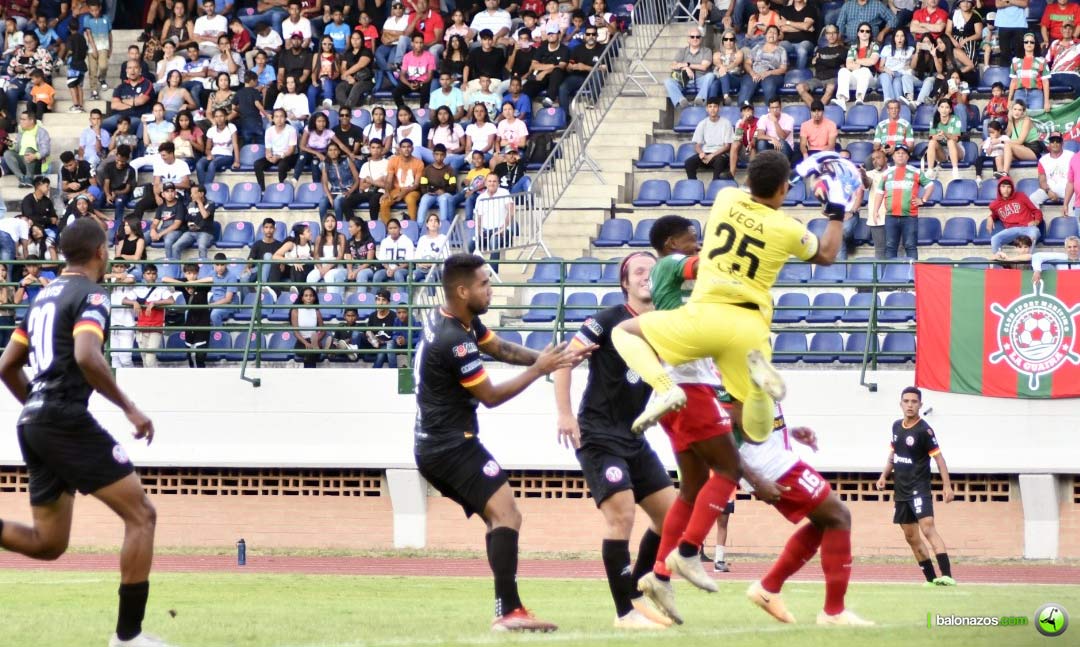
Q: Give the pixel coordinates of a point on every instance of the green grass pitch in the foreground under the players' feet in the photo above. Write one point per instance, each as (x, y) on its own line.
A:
(78, 610)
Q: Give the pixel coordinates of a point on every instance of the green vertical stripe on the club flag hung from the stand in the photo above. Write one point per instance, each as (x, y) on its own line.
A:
(966, 343)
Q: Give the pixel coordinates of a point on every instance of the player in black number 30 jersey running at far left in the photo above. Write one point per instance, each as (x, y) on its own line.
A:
(63, 446)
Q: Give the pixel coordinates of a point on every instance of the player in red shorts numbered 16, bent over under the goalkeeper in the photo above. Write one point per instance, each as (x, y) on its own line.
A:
(805, 494)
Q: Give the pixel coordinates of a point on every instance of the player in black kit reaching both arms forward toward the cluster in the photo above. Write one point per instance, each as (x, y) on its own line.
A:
(451, 382)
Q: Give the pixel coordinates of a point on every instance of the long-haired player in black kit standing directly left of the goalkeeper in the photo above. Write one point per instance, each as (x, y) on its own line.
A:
(619, 466)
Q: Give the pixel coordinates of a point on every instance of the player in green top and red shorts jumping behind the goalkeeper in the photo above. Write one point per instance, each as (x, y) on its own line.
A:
(700, 433)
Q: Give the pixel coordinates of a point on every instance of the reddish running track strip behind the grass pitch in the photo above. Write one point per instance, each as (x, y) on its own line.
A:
(977, 573)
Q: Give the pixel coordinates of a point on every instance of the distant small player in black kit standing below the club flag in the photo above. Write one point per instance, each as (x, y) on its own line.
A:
(913, 444)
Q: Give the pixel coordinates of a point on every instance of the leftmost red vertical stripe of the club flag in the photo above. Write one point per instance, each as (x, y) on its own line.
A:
(934, 287)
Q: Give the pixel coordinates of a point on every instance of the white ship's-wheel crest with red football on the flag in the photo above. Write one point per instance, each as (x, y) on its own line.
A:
(1036, 335)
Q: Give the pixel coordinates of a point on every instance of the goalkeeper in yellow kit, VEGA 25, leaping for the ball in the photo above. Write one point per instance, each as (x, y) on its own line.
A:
(748, 241)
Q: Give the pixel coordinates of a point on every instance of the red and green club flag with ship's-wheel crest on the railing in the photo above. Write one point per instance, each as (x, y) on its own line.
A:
(993, 333)
